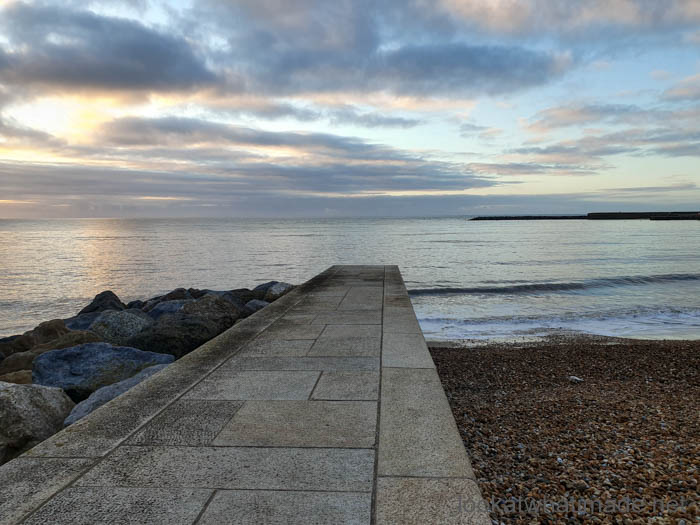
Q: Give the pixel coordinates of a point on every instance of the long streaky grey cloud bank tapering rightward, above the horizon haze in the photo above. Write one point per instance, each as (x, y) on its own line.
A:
(176, 157)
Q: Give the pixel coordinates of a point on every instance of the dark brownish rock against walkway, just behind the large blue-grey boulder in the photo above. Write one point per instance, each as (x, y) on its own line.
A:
(175, 334)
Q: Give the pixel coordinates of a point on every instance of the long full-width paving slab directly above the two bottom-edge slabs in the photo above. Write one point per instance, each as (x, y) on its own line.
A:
(326, 469)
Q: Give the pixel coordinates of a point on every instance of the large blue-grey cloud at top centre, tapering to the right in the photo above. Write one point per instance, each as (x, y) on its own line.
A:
(362, 46)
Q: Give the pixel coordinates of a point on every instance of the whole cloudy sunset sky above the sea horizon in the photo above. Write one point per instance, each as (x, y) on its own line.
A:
(304, 108)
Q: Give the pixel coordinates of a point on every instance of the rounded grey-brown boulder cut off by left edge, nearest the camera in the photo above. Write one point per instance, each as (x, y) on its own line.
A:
(29, 414)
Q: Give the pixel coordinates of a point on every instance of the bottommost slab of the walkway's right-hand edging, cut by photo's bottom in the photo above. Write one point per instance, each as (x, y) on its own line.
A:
(408, 501)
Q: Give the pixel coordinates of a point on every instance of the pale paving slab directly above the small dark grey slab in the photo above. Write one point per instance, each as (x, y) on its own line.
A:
(255, 384)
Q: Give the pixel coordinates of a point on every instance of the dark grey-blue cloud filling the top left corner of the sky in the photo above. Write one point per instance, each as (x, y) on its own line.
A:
(58, 48)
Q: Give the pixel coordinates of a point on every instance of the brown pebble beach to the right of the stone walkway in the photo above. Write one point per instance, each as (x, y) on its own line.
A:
(578, 417)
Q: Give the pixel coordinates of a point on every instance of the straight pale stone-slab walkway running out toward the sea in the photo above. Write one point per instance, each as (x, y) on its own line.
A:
(324, 407)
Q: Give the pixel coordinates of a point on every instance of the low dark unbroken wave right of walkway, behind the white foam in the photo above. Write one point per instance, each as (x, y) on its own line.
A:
(559, 286)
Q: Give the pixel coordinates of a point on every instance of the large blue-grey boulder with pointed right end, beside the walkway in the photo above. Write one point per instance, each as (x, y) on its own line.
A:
(82, 369)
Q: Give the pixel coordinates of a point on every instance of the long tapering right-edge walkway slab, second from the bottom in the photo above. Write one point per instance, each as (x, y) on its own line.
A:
(417, 434)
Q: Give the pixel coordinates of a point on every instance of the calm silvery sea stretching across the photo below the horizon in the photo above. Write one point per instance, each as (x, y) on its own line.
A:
(467, 279)
